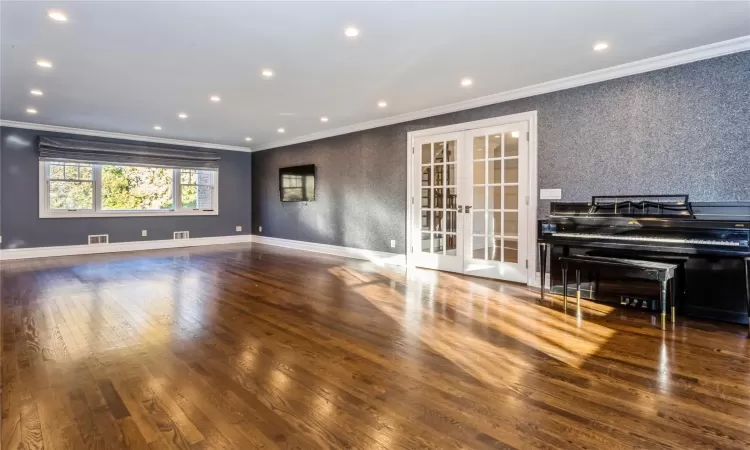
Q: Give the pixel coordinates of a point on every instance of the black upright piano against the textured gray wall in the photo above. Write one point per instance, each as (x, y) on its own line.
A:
(710, 242)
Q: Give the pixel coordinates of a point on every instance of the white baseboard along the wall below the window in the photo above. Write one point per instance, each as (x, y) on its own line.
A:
(69, 250)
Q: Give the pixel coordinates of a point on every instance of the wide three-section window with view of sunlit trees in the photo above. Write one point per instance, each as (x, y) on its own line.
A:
(72, 189)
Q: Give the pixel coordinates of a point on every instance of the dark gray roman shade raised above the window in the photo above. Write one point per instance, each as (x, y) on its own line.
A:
(63, 149)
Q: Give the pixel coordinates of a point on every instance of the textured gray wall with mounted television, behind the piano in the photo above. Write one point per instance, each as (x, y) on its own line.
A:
(684, 129)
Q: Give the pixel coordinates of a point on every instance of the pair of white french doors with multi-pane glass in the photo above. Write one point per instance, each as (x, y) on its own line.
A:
(470, 211)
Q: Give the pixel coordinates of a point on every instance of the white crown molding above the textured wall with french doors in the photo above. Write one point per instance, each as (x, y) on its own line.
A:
(633, 68)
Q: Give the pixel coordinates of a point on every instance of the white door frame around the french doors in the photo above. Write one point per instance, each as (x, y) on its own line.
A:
(529, 116)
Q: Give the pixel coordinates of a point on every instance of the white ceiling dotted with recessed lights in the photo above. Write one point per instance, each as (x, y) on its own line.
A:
(126, 66)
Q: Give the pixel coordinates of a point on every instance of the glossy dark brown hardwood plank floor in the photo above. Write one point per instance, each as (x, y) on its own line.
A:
(272, 348)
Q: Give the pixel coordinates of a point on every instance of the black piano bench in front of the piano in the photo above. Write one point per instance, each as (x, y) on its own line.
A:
(630, 268)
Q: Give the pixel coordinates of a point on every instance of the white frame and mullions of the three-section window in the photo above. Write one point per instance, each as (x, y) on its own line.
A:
(45, 212)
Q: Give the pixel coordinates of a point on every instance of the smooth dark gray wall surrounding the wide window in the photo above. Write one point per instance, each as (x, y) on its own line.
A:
(20, 225)
